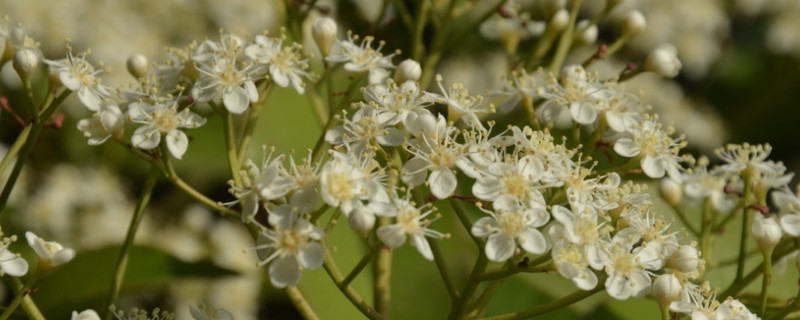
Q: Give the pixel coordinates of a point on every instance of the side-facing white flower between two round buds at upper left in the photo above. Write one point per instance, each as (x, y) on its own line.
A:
(77, 74)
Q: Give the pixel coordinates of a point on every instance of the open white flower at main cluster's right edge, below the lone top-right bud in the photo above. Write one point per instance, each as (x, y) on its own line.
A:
(657, 150)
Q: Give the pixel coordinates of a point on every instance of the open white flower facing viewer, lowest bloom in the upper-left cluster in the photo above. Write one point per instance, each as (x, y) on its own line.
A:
(162, 118)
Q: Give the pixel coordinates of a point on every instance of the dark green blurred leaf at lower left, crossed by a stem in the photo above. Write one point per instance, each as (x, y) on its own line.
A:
(84, 282)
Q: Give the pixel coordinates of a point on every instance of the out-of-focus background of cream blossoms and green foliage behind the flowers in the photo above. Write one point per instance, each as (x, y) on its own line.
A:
(740, 82)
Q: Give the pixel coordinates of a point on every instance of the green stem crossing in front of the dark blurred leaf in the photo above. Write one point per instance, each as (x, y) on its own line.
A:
(124, 255)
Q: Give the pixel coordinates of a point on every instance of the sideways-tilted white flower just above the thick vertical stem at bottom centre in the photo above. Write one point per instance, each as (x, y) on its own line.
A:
(410, 222)
